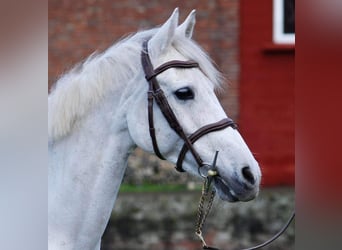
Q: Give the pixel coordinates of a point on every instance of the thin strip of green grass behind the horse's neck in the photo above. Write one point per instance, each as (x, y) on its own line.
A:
(147, 187)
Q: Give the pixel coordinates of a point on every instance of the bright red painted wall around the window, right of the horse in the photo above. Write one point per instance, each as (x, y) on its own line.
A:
(266, 94)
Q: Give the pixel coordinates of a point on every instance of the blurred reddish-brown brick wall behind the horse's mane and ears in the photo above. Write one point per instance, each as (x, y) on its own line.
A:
(79, 27)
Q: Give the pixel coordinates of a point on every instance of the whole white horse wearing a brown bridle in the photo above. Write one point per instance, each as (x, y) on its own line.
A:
(98, 115)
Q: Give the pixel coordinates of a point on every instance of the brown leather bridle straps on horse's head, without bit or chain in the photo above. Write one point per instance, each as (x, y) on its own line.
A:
(157, 94)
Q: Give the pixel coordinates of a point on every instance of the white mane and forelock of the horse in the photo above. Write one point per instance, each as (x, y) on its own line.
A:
(76, 92)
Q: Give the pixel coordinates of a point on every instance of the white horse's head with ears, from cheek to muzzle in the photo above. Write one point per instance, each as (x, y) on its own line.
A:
(190, 94)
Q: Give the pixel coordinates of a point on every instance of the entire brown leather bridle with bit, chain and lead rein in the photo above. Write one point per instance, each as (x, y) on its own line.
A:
(157, 94)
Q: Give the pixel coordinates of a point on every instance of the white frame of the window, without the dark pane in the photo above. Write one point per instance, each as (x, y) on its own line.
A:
(279, 36)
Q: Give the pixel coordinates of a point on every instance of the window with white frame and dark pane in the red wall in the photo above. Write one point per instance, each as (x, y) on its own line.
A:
(284, 21)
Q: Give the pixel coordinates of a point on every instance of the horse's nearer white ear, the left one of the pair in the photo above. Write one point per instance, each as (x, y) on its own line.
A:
(164, 36)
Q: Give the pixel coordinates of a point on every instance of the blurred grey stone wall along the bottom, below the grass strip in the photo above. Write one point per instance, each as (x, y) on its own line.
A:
(167, 220)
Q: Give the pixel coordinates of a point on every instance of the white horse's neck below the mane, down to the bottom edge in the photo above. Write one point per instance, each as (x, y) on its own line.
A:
(85, 172)
